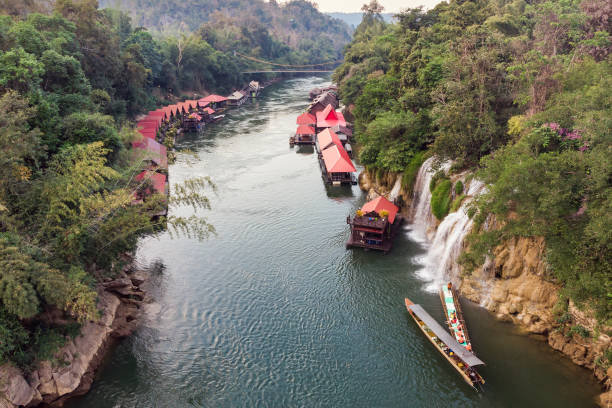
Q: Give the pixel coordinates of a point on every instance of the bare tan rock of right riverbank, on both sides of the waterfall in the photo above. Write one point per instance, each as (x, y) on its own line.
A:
(513, 287)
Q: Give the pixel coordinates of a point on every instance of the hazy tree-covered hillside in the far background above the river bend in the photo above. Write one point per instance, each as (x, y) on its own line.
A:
(292, 32)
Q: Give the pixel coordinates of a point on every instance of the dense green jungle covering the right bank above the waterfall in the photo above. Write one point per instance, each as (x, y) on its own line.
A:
(518, 91)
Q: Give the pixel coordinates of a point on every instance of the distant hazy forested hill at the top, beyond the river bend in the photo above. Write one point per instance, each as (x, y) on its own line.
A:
(296, 23)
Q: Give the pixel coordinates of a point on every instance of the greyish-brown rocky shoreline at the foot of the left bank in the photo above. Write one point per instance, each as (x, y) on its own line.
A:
(120, 301)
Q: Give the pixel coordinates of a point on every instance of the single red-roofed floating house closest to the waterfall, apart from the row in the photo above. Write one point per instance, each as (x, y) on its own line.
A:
(375, 225)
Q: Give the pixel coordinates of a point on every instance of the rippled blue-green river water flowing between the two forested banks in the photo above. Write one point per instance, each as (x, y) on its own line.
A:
(273, 311)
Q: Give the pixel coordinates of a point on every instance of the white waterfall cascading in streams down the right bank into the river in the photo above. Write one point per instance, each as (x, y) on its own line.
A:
(444, 247)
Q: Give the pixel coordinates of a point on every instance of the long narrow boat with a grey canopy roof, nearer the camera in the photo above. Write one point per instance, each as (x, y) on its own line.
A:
(461, 359)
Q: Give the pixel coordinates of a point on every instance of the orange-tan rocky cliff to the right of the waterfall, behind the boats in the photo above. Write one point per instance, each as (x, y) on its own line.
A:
(514, 286)
